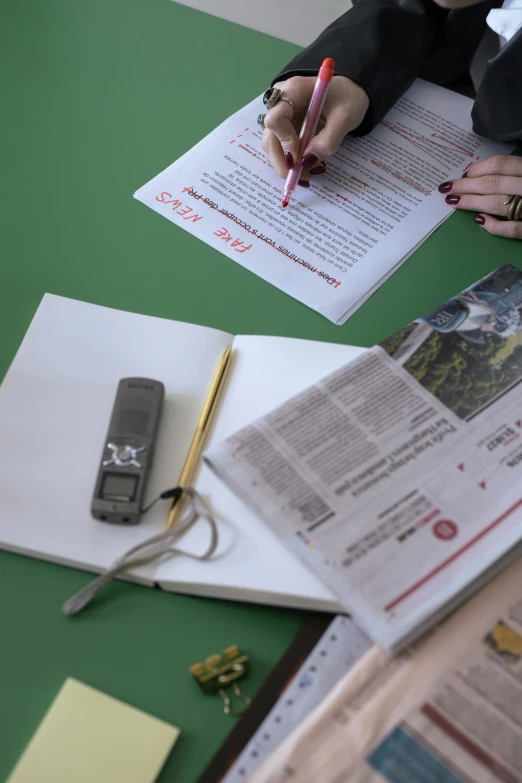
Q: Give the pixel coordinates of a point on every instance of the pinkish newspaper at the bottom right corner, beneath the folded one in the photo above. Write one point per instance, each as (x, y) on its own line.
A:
(450, 711)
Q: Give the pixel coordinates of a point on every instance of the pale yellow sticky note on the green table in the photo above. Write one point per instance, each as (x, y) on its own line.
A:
(89, 737)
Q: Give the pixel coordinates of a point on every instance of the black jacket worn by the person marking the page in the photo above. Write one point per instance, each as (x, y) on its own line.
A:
(384, 44)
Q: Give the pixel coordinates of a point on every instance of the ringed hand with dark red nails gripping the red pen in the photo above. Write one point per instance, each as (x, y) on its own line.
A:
(344, 109)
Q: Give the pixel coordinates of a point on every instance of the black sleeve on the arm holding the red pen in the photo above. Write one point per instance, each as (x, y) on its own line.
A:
(380, 44)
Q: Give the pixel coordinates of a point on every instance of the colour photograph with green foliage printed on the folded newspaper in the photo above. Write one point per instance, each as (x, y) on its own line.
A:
(468, 351)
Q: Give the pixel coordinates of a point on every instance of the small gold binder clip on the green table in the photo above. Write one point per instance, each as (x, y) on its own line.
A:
(221, 670)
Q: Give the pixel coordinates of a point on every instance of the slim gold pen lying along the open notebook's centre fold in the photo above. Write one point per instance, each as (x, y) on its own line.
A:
(196, 447)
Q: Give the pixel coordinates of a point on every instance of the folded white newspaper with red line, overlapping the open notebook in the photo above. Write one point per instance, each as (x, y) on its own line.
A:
(397, 478)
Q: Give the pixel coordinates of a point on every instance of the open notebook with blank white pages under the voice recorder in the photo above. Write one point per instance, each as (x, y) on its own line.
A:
(55, 404)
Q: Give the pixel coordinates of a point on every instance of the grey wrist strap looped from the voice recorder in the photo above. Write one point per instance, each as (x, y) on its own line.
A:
(158, 549)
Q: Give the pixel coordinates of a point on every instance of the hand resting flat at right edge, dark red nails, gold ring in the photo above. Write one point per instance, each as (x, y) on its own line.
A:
(485, 190)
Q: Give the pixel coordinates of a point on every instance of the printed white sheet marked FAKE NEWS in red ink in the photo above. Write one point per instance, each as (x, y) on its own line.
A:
(338, 241)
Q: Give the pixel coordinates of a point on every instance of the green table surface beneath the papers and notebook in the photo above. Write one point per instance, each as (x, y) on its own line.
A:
(98, 96)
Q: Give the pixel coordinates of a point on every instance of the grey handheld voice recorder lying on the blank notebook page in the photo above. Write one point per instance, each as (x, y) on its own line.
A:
(128, 451)
